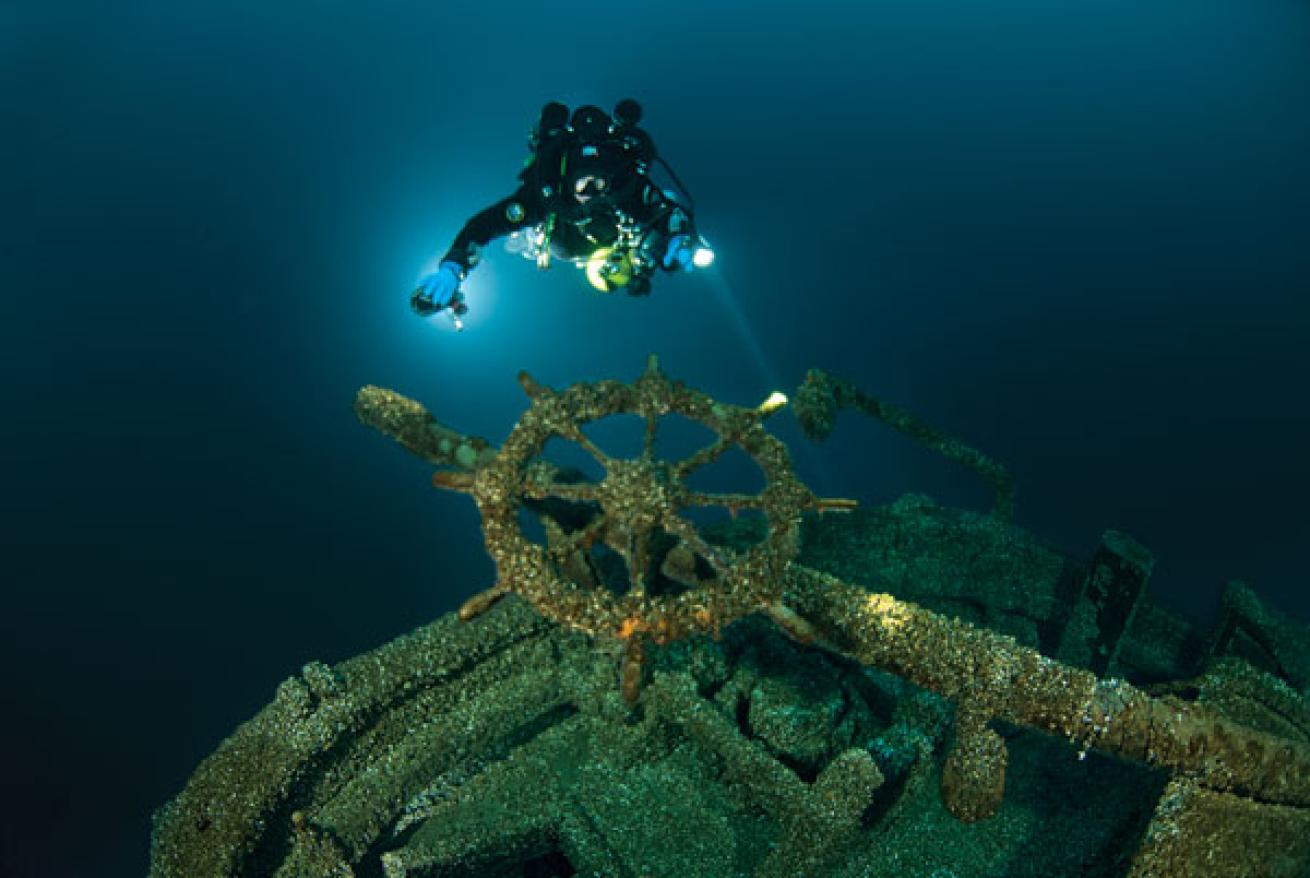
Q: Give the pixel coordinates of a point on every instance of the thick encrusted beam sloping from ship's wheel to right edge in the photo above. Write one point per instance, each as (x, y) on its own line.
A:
(1001, 679)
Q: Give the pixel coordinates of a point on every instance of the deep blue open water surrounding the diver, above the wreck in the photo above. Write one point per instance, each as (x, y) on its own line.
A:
(1074, 235)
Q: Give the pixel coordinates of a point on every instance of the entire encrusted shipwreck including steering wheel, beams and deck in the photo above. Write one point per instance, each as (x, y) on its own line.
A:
(505, 748)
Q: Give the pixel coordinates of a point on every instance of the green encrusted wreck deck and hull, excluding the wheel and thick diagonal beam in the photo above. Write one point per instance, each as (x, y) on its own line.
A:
(505, 748)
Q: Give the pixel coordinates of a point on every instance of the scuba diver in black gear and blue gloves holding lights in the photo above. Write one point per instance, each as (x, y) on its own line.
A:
(585, 196)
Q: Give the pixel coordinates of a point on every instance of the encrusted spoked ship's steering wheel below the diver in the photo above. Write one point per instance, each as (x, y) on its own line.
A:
(636, 503)
